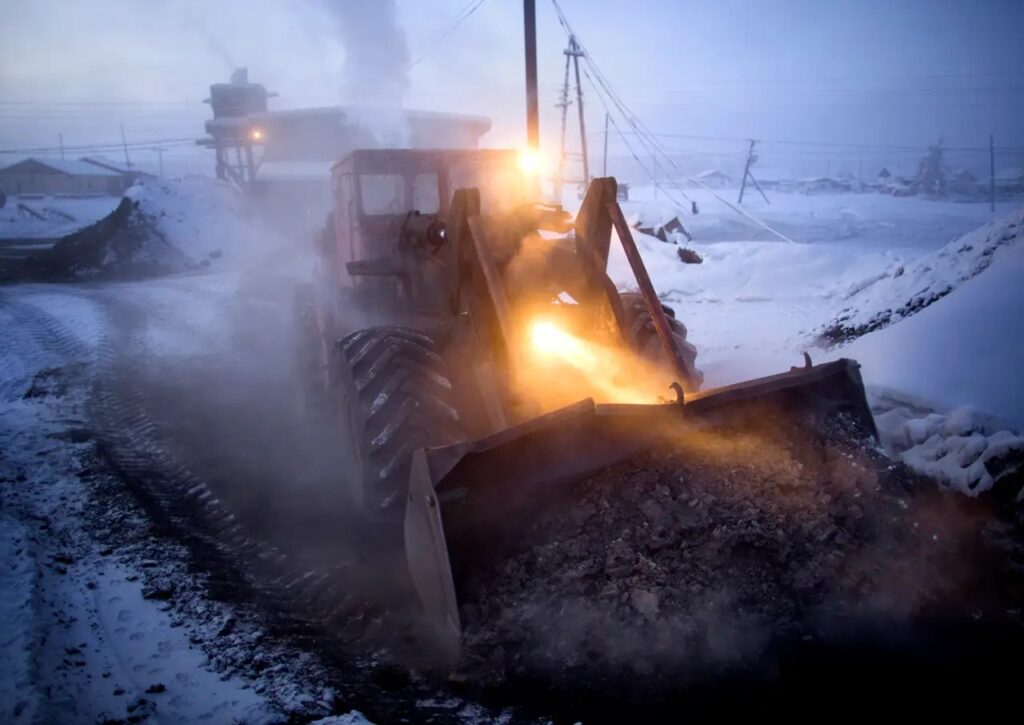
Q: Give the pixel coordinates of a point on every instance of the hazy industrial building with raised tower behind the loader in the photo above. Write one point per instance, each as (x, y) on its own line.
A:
(283, 158)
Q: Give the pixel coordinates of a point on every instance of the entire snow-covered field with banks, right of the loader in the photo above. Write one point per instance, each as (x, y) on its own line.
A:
(931, 283)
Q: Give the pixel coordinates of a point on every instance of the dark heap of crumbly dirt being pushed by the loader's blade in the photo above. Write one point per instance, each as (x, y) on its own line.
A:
(708, 557)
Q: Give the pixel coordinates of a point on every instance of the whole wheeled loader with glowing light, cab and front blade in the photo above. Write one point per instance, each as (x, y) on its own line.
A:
(480, 360)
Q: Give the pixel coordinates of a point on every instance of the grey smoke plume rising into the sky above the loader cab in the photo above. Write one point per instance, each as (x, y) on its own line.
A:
(376, 72)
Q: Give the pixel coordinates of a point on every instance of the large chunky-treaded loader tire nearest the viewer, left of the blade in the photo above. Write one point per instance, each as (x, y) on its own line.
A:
(396, 398)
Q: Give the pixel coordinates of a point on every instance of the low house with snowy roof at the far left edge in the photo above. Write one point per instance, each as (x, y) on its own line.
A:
(60, 177)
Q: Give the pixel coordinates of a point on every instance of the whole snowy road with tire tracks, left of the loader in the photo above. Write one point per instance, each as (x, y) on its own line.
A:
(133, 506)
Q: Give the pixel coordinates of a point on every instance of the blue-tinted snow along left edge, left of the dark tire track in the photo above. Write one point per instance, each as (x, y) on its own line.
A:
(80, 642)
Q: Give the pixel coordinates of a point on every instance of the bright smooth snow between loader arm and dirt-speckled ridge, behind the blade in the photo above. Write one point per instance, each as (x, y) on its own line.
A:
(751, 308)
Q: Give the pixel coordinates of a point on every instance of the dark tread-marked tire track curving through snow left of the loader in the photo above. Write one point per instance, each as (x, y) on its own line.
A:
(309, 608)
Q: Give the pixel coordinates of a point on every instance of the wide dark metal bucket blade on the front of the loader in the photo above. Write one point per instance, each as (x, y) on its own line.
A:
(472, 503)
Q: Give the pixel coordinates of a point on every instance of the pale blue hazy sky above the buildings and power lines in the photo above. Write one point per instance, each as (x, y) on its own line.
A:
(710, 74)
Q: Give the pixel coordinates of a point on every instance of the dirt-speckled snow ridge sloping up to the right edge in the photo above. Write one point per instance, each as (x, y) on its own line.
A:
(905, 289)
